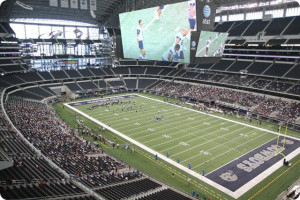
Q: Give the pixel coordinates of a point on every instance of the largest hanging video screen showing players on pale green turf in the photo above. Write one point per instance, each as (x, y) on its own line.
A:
(161, 33)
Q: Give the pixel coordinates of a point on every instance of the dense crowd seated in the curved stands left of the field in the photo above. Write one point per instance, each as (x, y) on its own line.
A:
(80, 158)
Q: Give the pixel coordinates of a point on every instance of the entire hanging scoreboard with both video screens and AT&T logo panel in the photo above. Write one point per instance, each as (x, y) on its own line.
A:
(180, 32)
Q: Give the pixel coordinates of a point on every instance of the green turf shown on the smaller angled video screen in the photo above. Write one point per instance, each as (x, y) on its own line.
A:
(214, 46)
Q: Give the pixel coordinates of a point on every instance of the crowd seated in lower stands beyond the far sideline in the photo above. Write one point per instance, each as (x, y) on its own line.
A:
(260, 104)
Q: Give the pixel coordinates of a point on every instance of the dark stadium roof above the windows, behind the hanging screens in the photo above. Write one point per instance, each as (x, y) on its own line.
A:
(107, 10)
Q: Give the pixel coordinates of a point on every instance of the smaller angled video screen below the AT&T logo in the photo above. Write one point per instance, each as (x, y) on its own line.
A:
(211, 44)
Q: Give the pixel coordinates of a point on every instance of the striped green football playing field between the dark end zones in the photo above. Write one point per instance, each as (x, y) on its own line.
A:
(197, 138)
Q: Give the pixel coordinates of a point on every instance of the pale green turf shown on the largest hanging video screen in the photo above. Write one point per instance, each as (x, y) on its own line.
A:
(159, 35)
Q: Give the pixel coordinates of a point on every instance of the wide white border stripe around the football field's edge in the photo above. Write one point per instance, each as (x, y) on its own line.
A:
(235, 194)
